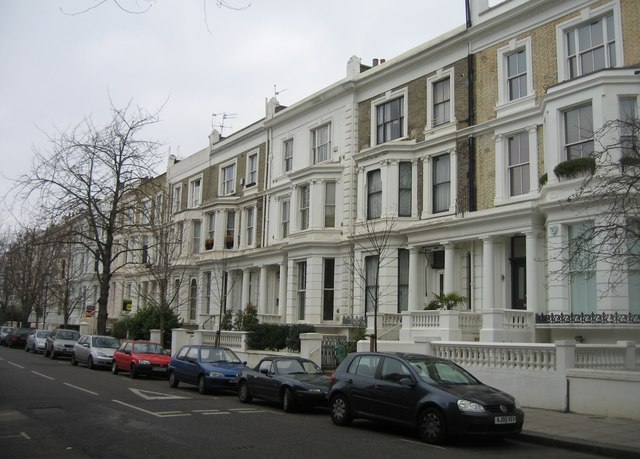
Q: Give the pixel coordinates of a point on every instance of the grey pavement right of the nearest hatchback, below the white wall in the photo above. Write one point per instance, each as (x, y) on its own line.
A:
(600, 435)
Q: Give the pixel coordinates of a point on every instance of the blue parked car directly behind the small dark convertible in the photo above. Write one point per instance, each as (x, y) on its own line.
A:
(209, 367)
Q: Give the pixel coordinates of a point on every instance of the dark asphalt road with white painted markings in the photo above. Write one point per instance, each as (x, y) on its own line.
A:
(49, 408)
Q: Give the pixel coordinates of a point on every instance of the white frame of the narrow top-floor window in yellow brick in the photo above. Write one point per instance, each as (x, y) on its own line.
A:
(503, 77)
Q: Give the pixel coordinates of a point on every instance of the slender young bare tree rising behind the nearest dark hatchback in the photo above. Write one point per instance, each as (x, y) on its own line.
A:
(370, 253)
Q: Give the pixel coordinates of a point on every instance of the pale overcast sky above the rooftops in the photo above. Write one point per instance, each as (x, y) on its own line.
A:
(191, 56)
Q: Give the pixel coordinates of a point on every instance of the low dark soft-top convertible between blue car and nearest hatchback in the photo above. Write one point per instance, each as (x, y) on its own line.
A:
(291, 381)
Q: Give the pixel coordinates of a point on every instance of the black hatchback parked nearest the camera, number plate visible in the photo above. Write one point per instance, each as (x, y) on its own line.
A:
(433, 395)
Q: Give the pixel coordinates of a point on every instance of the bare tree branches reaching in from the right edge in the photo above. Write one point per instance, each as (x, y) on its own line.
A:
(608, 198)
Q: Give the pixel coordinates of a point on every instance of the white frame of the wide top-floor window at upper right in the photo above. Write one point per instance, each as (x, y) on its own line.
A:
(588, 15)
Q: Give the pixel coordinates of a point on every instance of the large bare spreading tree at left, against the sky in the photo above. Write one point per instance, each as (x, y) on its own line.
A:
(85, 177)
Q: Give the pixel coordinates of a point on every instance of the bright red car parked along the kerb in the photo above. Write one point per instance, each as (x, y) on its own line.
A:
(141, 357)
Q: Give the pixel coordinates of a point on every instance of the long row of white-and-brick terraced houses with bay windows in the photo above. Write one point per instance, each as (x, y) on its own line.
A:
(447, 150)
